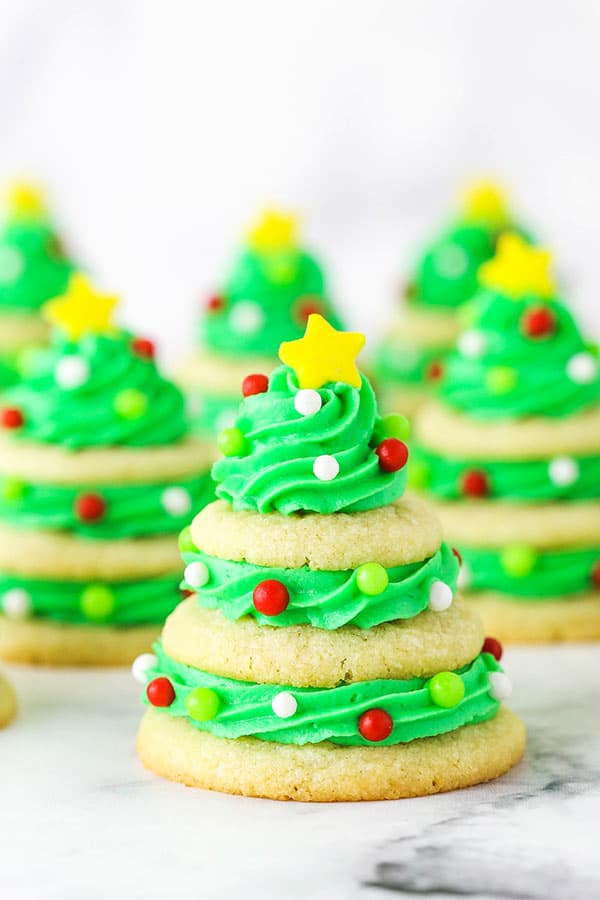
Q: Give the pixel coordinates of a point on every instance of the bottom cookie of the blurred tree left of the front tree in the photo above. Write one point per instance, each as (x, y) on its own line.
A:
(61, 644)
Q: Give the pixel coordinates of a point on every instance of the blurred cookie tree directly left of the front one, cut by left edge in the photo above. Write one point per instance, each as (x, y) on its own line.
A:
(98, 473)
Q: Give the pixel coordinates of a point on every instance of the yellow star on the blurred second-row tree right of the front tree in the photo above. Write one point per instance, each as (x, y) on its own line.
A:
(518, 269)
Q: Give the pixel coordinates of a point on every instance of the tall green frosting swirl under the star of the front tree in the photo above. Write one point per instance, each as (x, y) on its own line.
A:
(276, 473)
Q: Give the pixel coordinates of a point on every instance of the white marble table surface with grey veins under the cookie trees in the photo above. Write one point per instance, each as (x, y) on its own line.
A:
(81, 820)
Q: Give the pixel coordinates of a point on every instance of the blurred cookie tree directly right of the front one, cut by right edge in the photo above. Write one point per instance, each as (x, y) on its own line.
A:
(511, 454)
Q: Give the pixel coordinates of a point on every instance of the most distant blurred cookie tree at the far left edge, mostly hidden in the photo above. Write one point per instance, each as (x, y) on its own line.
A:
(33, 268)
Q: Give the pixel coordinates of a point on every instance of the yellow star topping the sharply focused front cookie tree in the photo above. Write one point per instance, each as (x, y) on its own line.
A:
(323, 355)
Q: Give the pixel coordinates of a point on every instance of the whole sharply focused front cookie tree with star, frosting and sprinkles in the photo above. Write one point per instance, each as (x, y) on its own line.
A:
(323, 655)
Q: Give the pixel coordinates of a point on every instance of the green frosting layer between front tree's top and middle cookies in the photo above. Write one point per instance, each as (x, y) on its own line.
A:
(323, 599)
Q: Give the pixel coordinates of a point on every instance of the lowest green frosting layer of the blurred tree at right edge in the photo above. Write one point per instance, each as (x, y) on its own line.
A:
(523, 572)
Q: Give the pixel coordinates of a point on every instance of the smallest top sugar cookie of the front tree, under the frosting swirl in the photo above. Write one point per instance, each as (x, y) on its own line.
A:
(403, 532)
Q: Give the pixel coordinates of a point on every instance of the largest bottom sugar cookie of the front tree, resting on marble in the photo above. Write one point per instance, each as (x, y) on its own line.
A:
(173, 748)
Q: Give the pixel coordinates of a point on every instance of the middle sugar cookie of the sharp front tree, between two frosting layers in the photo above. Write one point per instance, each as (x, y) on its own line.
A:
(302, 656)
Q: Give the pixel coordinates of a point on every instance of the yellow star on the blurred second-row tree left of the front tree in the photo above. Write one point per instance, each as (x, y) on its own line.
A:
(81, 310)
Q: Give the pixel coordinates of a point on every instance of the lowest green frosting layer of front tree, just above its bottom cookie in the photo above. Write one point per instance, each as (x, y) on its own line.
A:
(330, 714)
